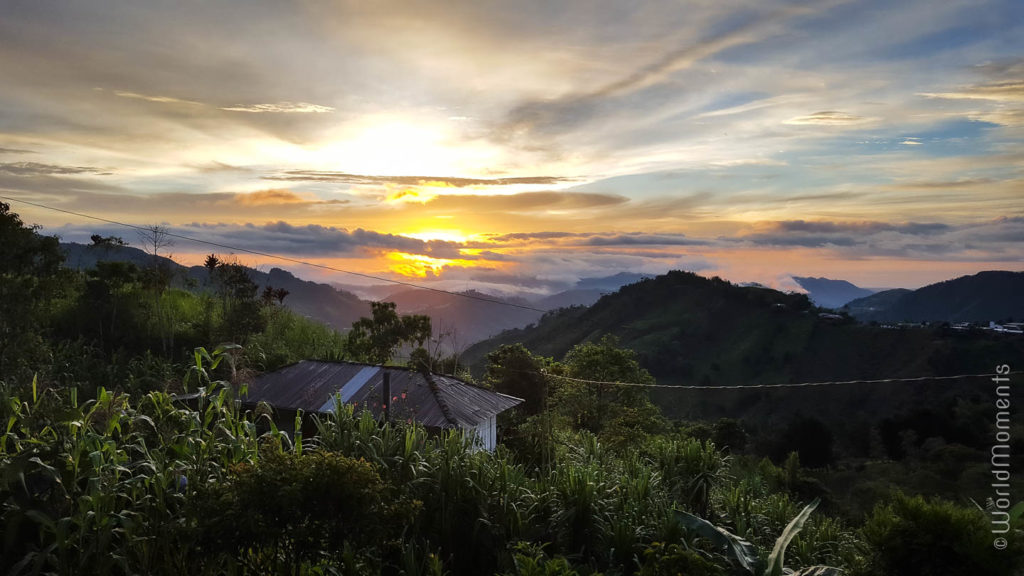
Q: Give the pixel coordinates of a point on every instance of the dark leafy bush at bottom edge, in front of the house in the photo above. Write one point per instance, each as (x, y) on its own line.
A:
(289, 510)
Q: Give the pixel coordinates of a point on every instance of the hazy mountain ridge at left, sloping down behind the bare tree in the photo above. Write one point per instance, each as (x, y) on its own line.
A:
(335, 308)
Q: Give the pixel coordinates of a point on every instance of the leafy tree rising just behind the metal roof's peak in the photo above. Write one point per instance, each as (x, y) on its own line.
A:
(376, 340)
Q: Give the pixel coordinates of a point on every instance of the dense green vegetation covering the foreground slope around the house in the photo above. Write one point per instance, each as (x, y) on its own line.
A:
(104, 473)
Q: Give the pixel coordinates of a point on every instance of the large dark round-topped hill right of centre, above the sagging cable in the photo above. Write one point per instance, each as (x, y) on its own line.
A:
(692, 331)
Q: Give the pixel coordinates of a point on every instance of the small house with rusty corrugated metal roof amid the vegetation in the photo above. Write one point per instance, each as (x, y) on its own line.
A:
(435, 401)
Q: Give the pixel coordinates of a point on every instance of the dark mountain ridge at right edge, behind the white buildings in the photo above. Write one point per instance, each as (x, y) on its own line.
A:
(986, 297)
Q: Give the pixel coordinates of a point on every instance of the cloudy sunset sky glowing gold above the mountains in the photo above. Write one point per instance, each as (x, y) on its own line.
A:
(523, 146)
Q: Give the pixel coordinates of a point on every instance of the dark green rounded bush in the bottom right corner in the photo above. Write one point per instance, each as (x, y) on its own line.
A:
(912, 536)
